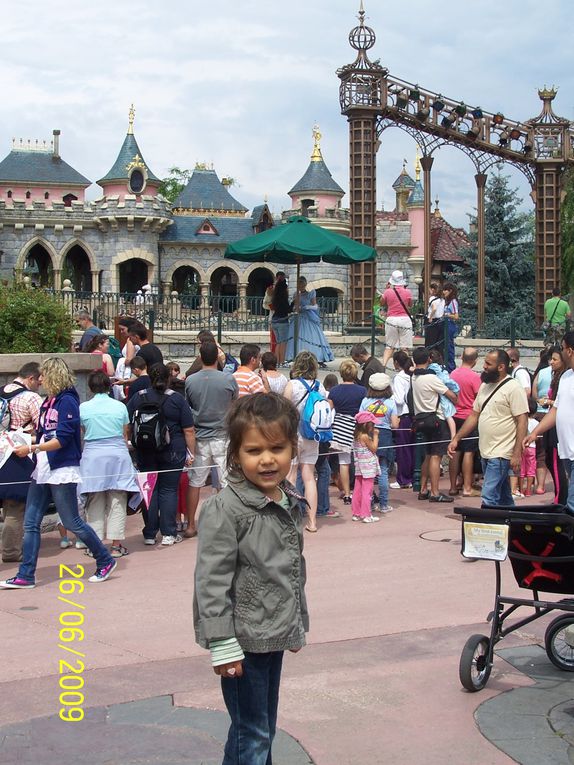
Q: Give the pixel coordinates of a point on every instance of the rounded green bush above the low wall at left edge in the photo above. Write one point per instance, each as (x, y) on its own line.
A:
(32, 321)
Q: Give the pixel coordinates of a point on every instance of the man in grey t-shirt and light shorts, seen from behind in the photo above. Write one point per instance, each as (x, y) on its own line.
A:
(210, 393)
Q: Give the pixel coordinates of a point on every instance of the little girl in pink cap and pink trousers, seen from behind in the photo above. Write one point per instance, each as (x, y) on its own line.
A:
(366, 466)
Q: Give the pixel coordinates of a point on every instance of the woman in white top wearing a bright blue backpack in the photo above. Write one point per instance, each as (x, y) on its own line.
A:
(304, 390)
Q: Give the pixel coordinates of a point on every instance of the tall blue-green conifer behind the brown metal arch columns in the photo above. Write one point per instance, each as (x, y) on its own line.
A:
(509, 264)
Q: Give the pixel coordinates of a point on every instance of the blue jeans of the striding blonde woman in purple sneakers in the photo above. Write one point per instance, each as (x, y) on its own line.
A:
(65, 498)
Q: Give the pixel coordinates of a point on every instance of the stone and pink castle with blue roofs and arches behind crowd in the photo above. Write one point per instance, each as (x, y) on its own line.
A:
(131, 236)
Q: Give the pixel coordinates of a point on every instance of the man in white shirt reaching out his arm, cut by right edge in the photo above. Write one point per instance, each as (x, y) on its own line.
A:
(560, 415)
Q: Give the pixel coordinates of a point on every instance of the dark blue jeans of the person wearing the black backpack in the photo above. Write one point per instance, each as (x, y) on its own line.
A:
(162, 511)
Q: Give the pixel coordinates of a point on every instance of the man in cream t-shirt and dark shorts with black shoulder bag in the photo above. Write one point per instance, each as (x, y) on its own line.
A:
(427, 389)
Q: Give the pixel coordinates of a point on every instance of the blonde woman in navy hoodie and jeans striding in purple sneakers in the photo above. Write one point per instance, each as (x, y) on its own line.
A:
(56, 476)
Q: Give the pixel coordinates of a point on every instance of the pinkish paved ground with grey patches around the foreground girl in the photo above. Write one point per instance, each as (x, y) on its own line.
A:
(391, 606)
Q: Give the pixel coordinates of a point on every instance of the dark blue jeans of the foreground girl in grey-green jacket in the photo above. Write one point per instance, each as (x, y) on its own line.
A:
(251, 701)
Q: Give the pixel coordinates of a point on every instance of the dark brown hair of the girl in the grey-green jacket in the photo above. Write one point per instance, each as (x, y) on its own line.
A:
(265, 411)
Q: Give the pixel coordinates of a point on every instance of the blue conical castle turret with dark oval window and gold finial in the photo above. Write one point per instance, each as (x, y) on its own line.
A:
(129, 173)
